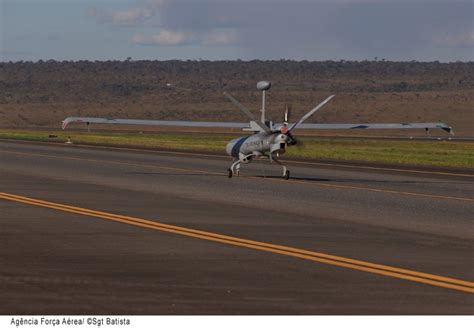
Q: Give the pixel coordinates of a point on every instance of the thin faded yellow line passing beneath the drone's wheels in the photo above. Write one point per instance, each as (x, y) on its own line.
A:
(321, 184)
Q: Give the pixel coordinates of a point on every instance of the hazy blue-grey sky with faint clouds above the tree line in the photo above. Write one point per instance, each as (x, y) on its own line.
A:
(399, 30)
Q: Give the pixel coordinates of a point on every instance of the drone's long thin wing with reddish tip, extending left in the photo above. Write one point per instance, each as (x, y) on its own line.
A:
(100, 120)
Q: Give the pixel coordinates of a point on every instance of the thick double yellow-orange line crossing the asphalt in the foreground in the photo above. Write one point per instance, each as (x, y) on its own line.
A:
(394, 272)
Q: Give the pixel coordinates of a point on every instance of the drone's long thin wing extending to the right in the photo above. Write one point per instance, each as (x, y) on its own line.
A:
(353, 126)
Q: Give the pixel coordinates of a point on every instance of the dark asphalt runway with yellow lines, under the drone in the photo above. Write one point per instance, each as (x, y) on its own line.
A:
(88, 230)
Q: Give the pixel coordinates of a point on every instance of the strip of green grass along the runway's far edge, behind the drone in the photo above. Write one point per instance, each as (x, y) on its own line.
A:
(437, 153)
